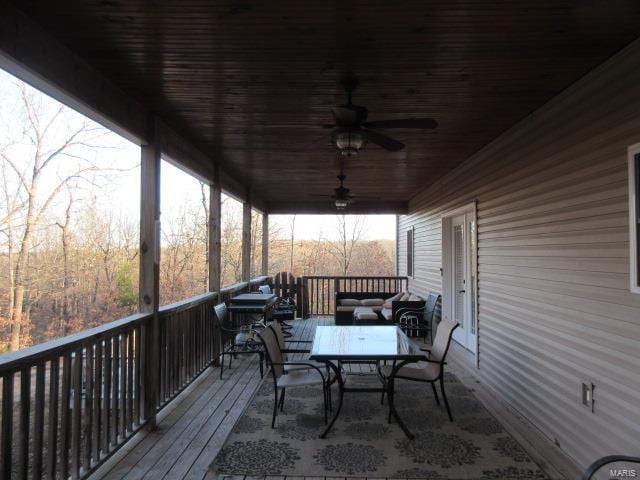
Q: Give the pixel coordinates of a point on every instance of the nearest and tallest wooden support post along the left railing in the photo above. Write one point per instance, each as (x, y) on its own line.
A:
(149, 291)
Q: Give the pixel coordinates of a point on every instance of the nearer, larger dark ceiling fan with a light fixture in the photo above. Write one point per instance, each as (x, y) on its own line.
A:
(352, 131)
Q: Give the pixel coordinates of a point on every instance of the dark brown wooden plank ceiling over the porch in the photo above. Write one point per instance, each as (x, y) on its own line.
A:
(252, 82)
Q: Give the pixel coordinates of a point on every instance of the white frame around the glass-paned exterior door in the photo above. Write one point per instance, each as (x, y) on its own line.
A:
(470, 210)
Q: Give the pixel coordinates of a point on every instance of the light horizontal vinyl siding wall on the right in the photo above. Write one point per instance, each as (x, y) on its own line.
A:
(554, 304)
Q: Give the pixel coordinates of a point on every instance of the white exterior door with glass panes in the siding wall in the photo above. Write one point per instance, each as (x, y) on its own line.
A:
(458, 258)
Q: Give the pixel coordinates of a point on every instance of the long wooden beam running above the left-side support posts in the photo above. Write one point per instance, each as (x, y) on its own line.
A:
(31, 54)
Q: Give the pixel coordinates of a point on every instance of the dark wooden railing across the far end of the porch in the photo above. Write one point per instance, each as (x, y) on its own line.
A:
(317, 295)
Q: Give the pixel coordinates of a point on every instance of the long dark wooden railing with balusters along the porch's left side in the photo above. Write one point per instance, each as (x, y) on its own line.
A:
(68, 404)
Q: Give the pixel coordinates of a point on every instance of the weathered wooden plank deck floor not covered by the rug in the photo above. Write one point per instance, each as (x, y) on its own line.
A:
(195, 426)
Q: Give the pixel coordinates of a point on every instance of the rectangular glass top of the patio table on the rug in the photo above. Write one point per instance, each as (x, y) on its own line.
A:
(364, 343)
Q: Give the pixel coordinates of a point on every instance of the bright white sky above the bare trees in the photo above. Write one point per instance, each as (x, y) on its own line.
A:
(121, 191)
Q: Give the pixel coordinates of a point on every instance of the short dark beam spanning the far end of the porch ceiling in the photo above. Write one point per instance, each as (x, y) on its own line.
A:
(327, 207)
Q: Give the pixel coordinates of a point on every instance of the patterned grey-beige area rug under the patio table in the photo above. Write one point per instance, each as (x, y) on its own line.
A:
(363, 444)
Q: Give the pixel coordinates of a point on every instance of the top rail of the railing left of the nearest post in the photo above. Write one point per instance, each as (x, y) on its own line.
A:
(29, 356)
